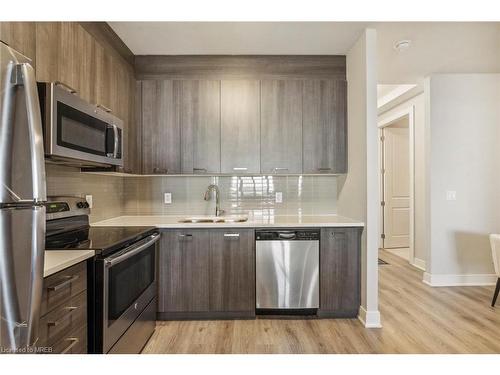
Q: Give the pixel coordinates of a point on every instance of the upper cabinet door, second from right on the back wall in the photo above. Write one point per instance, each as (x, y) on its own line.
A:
(281, 126)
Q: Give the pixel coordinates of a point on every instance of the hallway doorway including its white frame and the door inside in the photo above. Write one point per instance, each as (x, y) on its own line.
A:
(396, 181)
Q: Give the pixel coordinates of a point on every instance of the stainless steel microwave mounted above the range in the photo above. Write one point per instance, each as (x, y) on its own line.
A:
(77, 132)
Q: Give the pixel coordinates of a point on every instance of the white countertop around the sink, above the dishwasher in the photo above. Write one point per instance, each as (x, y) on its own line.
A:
(281, 221)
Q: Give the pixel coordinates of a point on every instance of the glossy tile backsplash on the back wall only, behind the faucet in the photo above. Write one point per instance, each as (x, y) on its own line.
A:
(239, 194)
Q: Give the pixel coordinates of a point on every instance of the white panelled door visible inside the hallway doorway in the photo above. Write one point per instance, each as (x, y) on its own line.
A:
(396, 159)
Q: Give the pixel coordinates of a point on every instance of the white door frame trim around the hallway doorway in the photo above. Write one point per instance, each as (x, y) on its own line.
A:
(410, 113)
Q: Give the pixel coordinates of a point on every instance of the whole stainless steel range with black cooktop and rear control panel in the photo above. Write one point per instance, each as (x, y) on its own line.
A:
(122, 296)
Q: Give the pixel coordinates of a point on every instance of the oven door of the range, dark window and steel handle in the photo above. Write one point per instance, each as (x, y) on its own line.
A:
(129, 285)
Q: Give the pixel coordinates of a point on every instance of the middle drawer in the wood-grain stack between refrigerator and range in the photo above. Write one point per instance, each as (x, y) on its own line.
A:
(63, 320)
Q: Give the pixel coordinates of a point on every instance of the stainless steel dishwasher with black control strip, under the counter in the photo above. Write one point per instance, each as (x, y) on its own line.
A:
(287, 271)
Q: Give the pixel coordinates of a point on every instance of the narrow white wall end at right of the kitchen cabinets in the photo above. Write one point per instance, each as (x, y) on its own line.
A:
(358, 190)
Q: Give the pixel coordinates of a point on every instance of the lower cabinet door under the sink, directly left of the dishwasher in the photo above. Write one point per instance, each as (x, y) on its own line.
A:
(232, 271)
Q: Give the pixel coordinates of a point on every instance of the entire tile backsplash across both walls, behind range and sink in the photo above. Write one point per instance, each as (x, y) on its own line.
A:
(255, 195)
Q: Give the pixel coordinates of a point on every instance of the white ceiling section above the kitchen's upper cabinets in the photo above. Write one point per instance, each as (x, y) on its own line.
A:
(239, 38)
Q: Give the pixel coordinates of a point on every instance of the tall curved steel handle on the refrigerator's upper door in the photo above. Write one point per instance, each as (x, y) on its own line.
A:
(35, 132)
